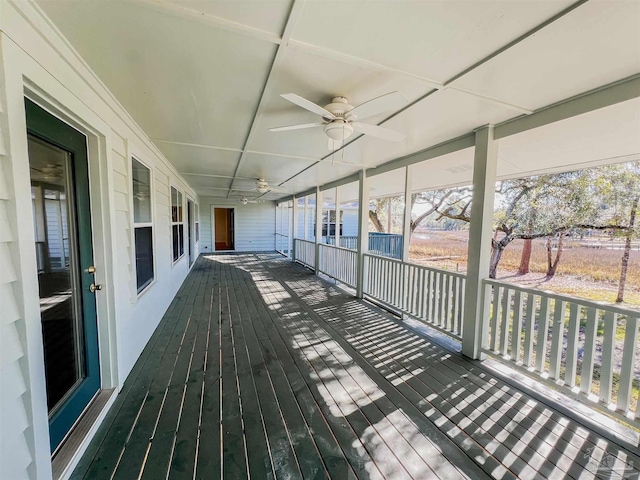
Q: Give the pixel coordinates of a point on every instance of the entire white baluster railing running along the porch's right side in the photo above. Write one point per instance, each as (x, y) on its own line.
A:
(587, 349)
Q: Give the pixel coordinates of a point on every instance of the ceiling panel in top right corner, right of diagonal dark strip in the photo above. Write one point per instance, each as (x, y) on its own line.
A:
(598, 43)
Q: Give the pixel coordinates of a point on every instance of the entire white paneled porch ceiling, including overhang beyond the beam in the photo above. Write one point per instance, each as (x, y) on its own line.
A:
(204, 78)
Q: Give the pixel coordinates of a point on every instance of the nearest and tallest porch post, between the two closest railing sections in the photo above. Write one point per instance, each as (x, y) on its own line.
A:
(484, 179)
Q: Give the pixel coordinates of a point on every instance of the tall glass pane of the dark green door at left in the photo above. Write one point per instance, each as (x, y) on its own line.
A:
(58, 270)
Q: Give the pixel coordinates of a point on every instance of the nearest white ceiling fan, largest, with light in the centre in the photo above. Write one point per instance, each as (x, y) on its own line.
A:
(340, 120)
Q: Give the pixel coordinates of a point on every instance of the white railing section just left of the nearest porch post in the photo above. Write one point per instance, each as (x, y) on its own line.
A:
(433, 295)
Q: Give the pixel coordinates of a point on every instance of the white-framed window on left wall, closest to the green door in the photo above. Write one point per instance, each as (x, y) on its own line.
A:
(142, 224)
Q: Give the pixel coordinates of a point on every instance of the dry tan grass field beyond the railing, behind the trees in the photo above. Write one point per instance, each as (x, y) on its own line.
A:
(583, 272)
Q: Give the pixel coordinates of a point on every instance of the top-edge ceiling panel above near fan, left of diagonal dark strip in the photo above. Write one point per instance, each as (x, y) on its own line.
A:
(435, 39)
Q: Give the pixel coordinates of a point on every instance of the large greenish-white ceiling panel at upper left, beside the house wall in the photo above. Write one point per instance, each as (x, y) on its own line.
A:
(179, 78)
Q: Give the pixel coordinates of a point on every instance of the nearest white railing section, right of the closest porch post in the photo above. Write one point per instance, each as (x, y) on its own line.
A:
(587, 348)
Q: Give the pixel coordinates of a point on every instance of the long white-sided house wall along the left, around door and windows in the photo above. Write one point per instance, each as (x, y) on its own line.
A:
(35, 59)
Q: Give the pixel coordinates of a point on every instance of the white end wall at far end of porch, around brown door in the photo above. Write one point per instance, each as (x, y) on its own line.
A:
(254, 225)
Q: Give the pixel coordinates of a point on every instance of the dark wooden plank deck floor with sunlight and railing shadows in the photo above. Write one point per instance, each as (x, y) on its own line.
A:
(261, 369)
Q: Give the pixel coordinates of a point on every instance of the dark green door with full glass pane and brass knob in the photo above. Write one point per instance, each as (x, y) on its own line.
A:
(64, 252)
